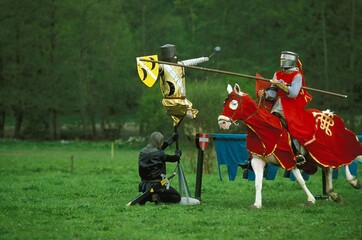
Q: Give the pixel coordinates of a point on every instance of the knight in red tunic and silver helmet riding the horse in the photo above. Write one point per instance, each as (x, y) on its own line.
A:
(290, 99)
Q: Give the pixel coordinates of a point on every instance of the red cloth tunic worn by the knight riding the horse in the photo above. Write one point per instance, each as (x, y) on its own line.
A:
(301, 124)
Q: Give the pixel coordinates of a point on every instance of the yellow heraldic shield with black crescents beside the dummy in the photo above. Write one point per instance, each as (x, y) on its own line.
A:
(148, 71)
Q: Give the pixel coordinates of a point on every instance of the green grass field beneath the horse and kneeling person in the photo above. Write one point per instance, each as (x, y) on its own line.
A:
(77, 190)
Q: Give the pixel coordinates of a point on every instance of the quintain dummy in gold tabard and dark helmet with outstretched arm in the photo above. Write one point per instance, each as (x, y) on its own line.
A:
(173, 85)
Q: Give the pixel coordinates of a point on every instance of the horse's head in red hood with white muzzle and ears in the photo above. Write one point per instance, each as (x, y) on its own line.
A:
(237, 106)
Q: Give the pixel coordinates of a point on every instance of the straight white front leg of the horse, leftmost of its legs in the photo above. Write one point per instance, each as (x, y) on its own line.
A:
(258, 167)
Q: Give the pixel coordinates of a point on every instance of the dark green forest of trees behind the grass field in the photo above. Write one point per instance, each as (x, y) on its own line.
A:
(68, 68)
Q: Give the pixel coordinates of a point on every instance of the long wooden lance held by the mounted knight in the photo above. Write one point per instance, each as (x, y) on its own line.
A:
(238, 75)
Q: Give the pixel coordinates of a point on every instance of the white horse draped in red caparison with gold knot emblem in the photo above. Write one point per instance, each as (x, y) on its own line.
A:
(268, 141)
